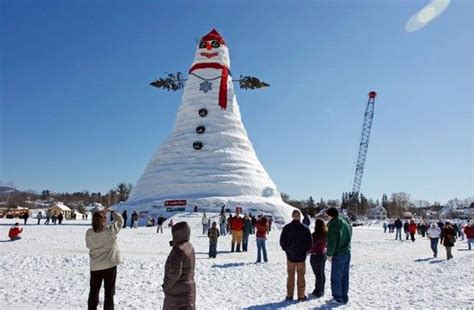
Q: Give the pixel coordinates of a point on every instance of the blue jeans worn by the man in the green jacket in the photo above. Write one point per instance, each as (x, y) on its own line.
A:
(340, 277)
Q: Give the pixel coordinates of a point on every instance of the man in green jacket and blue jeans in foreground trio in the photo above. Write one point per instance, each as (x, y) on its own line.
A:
(339, 254)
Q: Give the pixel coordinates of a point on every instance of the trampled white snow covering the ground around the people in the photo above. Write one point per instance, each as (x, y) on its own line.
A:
(49, 269)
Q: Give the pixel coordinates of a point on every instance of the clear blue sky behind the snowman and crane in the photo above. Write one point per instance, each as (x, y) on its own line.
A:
(77, 112)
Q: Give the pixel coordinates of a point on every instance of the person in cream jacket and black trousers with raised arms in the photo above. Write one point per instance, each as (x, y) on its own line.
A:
(101, 240)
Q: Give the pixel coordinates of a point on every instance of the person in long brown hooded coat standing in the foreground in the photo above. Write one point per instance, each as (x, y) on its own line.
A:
(178, 284)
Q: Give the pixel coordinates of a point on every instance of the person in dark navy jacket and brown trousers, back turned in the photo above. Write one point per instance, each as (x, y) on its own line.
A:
(295, 240)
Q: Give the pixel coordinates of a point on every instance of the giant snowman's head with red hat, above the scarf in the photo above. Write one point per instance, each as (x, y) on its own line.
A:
(212, 48)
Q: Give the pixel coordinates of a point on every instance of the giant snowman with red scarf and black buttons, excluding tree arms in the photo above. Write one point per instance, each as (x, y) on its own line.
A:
(208, 160)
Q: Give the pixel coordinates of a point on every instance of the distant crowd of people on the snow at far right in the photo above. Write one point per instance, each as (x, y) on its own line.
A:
(446, 233)
